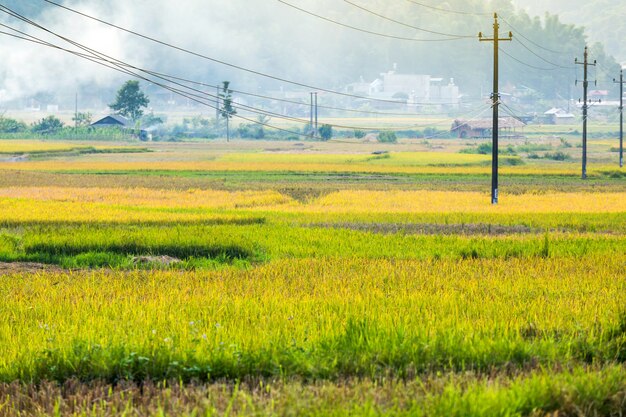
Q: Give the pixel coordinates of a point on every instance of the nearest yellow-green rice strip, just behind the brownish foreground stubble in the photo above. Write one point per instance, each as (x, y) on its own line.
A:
(321, 319)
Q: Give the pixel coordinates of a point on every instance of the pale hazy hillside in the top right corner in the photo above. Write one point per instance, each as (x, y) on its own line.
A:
(605, 20)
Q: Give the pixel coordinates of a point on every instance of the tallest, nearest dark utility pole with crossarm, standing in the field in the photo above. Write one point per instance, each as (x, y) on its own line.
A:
(496, 102)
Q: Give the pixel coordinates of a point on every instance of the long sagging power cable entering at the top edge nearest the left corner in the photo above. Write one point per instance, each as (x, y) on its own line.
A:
(206, 57)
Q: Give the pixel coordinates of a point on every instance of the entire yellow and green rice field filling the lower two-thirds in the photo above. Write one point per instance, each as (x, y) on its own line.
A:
(194, 280)
